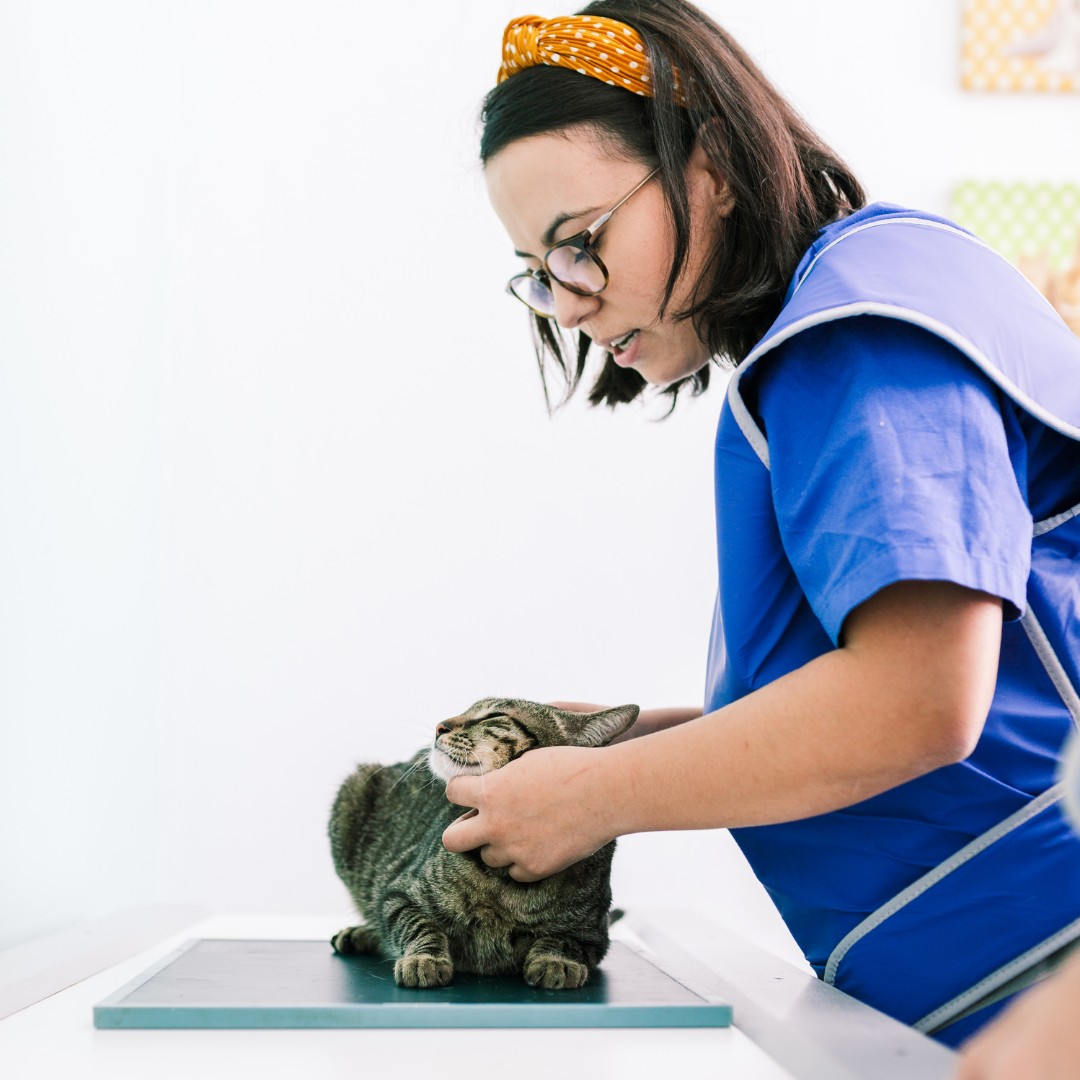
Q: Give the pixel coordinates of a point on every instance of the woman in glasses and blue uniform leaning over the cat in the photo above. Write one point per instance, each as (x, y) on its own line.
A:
(895, 653)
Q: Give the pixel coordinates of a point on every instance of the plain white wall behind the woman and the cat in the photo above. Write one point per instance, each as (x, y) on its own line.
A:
(278, 490)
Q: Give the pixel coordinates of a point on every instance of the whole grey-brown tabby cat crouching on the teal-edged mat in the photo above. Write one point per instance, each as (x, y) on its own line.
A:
(436, 912)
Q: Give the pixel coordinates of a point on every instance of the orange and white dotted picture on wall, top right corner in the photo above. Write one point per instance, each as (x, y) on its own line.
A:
(1022, 45)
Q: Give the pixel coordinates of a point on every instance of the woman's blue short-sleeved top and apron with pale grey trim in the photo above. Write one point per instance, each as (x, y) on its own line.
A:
(913, 415)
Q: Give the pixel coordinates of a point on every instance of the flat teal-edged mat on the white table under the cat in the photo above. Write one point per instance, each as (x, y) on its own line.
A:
(224, 983)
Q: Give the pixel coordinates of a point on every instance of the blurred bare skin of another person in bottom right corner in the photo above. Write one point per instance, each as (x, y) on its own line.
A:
(1036, 1038)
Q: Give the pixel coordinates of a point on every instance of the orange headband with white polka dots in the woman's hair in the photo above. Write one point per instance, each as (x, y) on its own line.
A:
(601, 48)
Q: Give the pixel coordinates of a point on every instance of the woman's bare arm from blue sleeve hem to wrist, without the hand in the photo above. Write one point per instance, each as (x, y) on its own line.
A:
(889, 707)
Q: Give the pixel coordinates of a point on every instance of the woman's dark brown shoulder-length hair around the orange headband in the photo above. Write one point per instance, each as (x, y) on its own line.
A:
(787, 183)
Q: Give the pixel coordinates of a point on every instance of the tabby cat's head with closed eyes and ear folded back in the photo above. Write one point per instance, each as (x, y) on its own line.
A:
(495, 731)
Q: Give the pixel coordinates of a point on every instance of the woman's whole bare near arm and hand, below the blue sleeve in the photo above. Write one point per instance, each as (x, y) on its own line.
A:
(907, 693)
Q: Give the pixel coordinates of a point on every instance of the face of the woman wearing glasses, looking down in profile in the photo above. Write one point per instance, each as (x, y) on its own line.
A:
(549, 187)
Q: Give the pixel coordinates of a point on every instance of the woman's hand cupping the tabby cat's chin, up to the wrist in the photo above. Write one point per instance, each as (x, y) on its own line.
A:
(537, 816)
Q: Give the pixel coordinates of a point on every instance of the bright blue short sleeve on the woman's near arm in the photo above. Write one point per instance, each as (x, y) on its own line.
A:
(892, 460)
